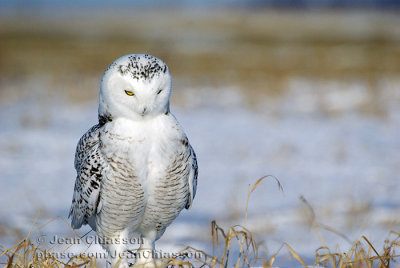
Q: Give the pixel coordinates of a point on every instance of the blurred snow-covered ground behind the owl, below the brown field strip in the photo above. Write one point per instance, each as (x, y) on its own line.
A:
(313, 139)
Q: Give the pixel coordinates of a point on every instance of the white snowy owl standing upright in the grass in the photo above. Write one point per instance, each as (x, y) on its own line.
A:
(136, 170)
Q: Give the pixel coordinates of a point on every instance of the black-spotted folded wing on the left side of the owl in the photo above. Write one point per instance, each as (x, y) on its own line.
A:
(89, 165)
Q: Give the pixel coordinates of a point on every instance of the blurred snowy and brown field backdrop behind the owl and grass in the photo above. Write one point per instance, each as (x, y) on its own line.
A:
(307, 91)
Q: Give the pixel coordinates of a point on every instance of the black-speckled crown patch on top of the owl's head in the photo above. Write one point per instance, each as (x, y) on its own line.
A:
(139, 70)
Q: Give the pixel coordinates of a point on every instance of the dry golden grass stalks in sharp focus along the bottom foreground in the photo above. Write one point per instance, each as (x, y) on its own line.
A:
(232, 247)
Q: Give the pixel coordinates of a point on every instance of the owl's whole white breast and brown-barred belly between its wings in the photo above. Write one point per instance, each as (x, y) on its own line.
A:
(147, 171)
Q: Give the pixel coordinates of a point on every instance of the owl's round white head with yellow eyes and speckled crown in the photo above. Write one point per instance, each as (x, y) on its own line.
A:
(135, 86)
